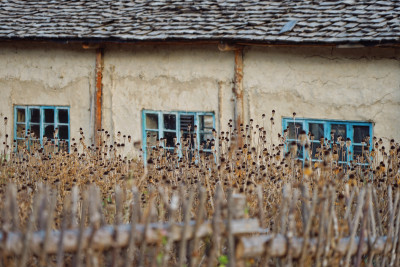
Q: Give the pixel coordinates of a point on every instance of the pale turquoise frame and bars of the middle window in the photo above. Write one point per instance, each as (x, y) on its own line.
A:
(161, 129)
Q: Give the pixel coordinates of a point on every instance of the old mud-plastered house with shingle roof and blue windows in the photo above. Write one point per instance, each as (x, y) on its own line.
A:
(151, 68)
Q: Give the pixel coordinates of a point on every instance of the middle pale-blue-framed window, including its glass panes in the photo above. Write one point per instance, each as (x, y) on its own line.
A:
(194, 127)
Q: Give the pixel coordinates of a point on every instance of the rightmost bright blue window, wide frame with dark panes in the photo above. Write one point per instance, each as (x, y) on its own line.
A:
(349, 137)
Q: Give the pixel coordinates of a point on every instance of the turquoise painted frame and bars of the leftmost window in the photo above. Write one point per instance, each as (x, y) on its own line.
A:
(42, 124)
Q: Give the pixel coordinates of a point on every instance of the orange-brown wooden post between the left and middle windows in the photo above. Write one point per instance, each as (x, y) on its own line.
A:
(98, 93)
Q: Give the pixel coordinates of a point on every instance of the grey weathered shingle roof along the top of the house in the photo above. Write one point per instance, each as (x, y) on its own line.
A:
(322, 22)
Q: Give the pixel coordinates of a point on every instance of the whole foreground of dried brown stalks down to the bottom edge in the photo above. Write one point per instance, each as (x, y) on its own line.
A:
(321, 209)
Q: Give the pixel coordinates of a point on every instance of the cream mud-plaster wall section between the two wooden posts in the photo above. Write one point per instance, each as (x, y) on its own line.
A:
(165, 78)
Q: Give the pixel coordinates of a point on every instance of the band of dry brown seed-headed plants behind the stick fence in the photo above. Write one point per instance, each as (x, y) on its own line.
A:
(256, 168)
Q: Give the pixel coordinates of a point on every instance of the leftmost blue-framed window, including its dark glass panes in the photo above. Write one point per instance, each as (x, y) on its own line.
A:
(35, 124)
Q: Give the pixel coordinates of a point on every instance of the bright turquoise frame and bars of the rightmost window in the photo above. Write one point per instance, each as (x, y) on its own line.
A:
(327, 131)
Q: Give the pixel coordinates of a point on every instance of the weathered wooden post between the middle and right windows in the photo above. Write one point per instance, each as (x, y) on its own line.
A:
(238, 91)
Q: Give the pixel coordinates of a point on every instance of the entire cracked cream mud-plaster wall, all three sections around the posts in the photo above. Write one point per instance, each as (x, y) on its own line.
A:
(360, 84)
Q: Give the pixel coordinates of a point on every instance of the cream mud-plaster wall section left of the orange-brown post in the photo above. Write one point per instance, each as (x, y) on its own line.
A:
(47, 74)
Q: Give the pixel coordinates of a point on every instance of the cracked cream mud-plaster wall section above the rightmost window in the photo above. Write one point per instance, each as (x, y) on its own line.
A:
(325, 83)
